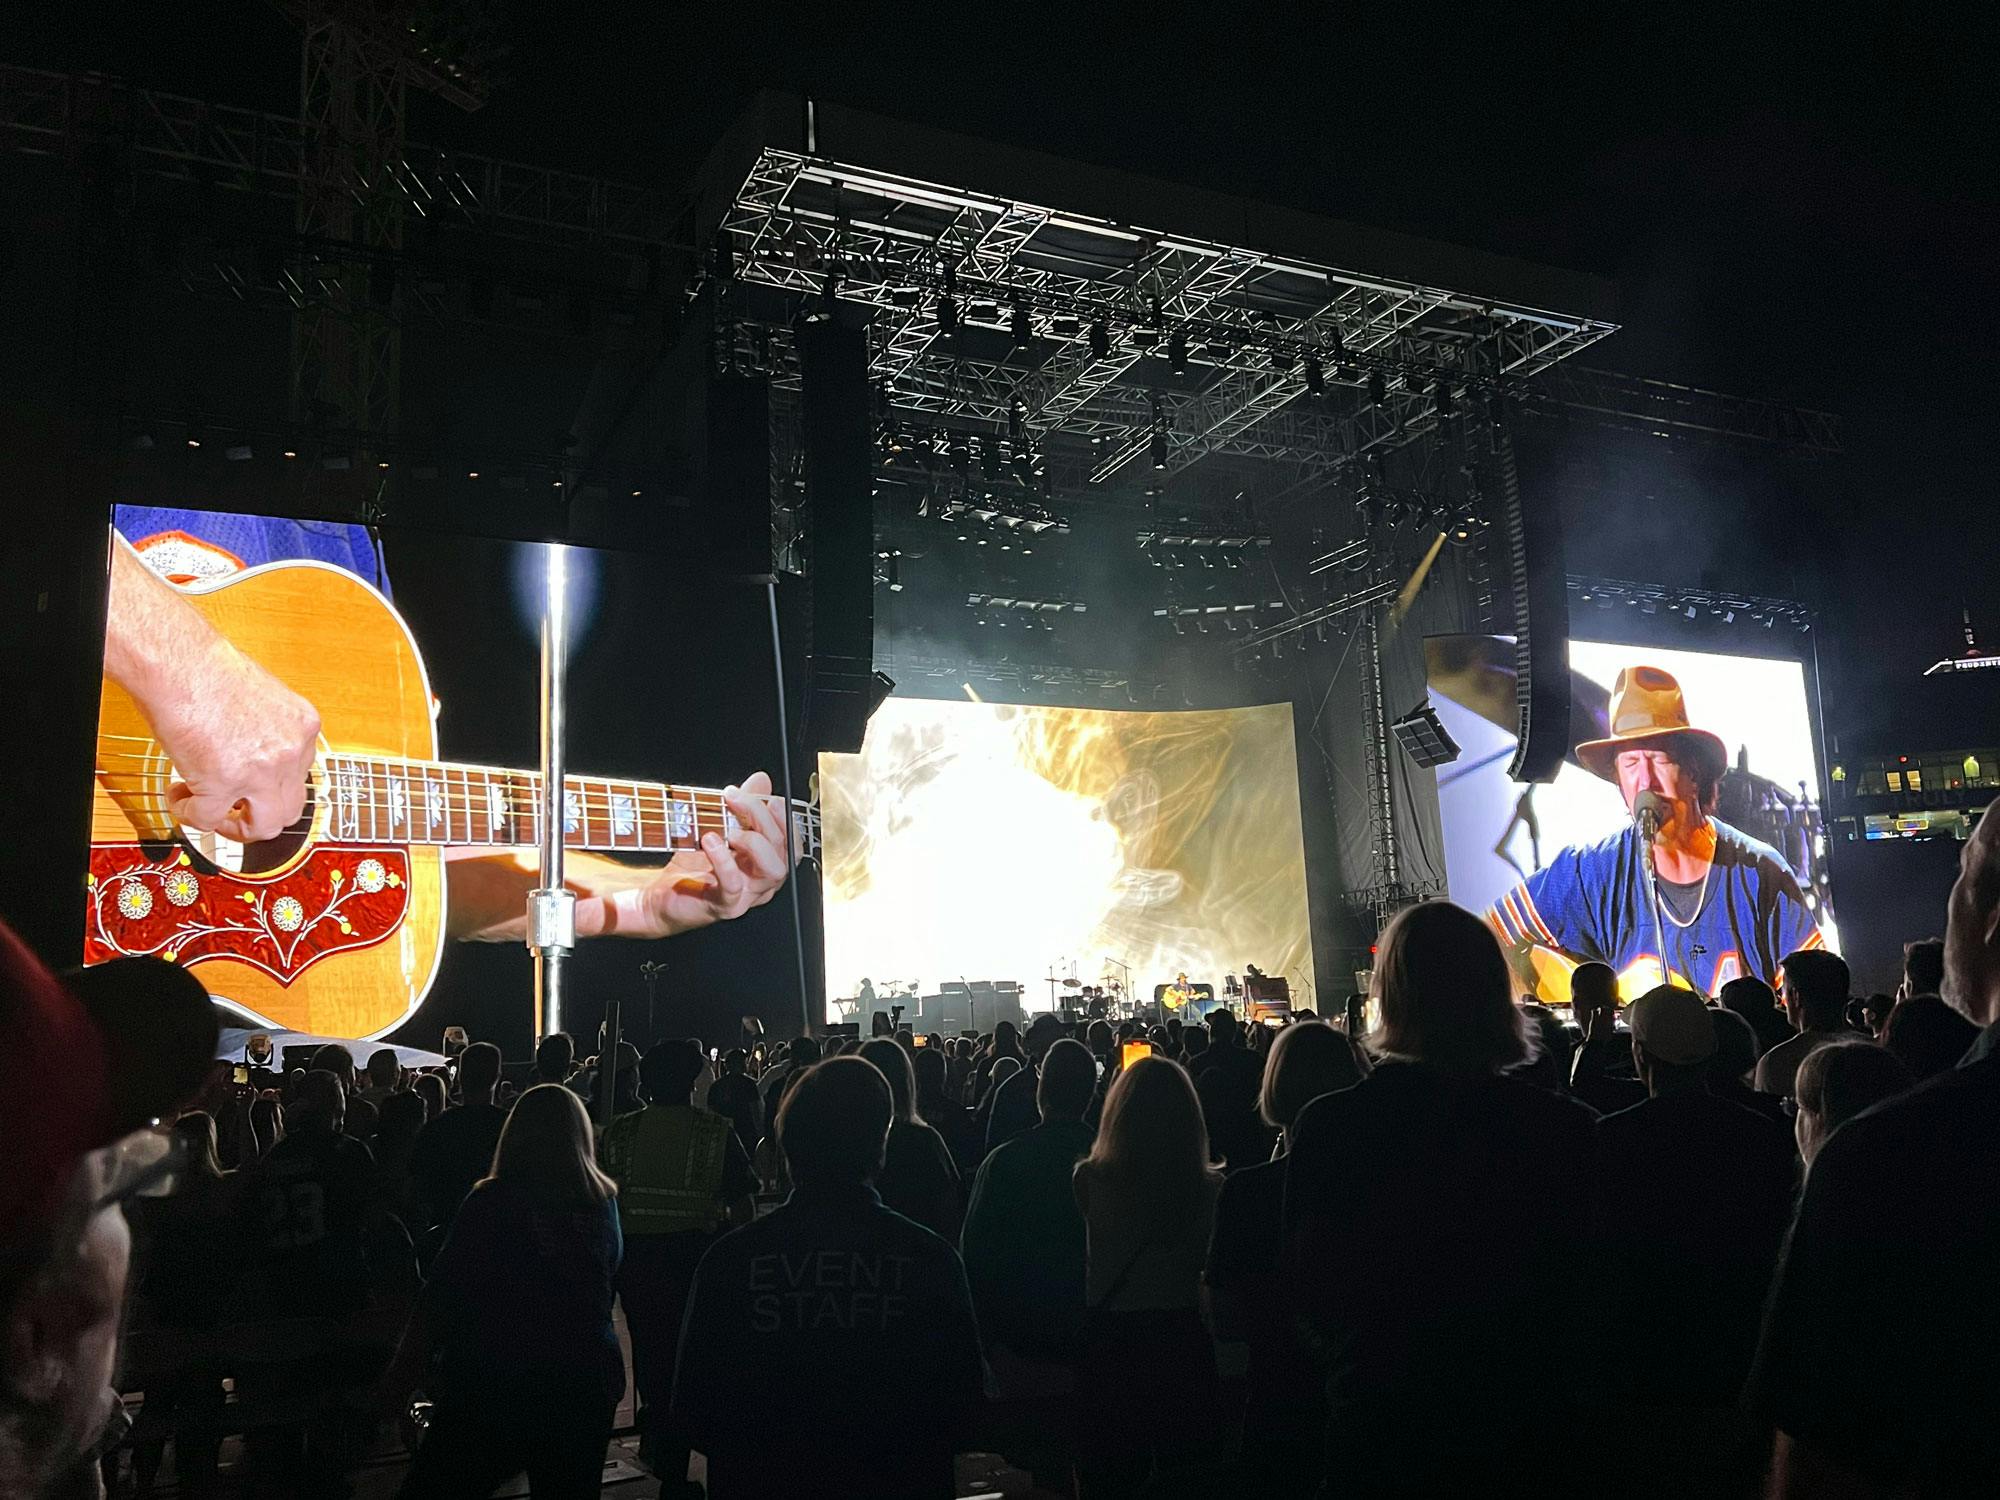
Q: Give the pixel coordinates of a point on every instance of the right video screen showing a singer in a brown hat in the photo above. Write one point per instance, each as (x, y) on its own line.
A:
(1717, 749)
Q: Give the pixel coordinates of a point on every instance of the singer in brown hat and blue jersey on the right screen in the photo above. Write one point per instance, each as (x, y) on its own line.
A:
(1729, 905)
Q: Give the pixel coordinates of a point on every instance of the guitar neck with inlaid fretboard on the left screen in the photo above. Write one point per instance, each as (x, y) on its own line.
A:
(385, 799)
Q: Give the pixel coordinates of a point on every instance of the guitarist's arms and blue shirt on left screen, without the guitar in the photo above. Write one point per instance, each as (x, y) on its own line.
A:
(243, 743)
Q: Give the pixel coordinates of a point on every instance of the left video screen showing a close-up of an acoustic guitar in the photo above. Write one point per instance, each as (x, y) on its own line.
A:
(317, 779)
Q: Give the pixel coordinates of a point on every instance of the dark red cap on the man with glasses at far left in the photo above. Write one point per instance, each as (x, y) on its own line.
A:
(95, 1057)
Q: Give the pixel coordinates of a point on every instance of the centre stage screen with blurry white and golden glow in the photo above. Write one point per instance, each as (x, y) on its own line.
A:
(983, 843)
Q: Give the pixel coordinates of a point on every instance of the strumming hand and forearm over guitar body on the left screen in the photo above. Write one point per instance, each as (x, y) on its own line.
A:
(239, 739)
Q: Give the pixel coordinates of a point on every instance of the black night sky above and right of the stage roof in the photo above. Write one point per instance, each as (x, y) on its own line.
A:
(1797, 207)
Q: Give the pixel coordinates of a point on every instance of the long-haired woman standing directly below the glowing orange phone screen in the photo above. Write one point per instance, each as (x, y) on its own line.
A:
(1149, 1201)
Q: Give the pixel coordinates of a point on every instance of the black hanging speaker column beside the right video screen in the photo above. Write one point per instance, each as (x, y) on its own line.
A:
(1541, 589)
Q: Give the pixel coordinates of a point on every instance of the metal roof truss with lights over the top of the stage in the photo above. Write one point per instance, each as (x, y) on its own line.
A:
(1019, 319)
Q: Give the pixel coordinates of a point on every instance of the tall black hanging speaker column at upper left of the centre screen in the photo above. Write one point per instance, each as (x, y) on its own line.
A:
(837, 423)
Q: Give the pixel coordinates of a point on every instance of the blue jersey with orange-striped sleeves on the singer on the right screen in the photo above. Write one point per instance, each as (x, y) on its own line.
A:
(1591, 905)
